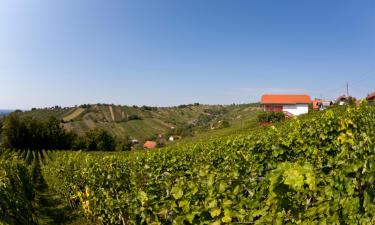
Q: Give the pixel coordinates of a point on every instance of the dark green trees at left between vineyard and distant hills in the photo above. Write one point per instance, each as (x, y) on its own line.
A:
(29, 133)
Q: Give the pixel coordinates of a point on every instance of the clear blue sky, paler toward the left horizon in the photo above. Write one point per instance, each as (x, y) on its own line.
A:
(170, 52)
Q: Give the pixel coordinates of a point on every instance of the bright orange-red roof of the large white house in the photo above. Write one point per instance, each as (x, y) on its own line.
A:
(285, 99)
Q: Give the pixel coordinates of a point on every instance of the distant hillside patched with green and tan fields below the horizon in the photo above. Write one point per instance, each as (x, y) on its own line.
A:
(145, 122)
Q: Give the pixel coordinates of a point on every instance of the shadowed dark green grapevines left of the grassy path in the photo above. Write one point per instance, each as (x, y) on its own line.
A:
(17, 185)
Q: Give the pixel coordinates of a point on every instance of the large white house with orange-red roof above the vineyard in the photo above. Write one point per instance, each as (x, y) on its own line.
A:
(290, 104)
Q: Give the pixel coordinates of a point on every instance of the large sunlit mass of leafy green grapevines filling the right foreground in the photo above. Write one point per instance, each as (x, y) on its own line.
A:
(316, 169)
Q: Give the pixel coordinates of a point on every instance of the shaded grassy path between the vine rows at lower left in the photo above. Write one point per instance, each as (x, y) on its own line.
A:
(51, 209)
